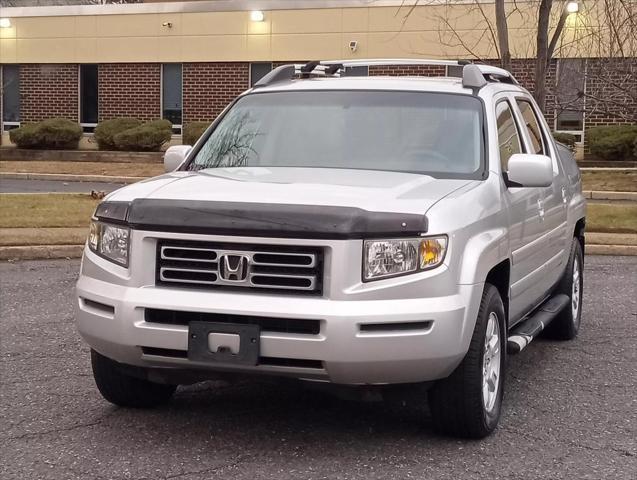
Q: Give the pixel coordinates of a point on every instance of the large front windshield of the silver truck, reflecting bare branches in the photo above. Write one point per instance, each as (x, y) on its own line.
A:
(430, 133)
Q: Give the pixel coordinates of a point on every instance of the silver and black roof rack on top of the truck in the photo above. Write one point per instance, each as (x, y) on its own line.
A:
(474, 76)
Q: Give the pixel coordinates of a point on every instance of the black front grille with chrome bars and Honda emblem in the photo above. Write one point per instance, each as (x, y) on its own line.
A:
(223, 265)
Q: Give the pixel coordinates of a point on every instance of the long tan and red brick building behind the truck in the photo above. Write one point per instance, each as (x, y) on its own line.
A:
(185, 61)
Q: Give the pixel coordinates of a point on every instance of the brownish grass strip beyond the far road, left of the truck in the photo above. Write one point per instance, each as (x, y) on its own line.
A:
(85, 168)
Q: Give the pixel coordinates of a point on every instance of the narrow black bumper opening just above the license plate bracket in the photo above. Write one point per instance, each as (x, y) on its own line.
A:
(267, 324)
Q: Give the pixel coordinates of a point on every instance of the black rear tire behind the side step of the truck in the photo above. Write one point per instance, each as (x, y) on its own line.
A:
(566, 325)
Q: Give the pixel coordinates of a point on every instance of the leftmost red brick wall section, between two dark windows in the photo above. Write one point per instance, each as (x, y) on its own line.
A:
(48, 91)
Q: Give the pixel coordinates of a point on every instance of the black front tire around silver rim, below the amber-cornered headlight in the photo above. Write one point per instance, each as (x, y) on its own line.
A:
(456, 402)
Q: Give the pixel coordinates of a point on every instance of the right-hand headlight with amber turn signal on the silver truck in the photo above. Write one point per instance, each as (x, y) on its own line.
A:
(388, 258)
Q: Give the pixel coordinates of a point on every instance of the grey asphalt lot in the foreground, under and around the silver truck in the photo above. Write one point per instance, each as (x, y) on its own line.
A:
(570, 409)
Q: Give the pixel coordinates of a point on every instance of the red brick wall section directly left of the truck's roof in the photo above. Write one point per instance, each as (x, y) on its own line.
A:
(210, 87)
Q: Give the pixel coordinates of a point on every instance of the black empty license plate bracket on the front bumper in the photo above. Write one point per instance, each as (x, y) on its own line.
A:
(199, 343)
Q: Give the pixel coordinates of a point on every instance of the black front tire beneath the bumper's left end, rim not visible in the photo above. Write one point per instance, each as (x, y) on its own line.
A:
(125, 390)
